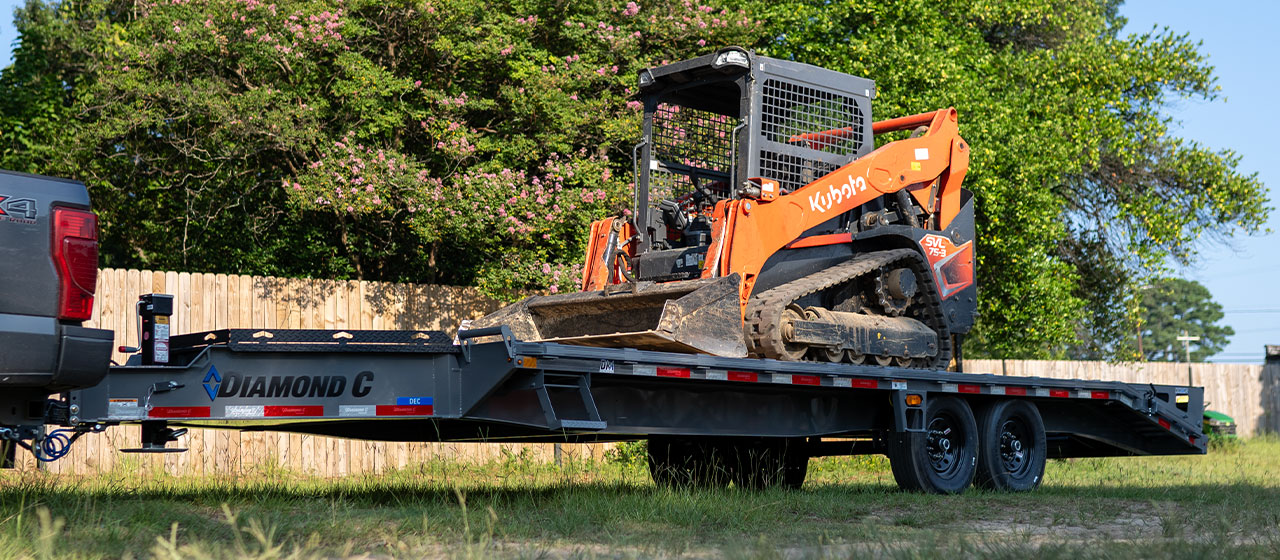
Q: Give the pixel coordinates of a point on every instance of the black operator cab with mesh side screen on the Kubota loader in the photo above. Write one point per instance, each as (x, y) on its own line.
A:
(702, 144)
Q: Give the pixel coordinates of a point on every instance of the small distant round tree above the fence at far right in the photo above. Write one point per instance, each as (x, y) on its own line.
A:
(1172, 307)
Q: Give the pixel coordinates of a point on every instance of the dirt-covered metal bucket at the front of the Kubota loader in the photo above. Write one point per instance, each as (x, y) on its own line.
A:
(692, 316)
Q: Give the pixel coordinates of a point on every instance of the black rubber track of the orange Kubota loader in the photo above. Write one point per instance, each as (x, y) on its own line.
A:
(764, 323)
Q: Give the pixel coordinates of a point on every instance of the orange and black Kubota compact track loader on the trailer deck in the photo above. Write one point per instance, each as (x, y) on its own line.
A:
(767, 224)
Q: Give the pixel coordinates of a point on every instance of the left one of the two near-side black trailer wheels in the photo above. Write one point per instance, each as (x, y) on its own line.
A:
(944, 458)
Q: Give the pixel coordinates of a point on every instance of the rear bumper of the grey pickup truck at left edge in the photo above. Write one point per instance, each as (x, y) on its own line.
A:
(42, 354)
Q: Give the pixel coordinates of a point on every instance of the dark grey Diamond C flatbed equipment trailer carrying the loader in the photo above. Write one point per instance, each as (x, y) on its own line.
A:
(710, 420)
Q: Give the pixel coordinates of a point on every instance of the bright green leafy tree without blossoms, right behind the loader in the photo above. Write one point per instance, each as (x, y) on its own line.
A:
(1082, 191)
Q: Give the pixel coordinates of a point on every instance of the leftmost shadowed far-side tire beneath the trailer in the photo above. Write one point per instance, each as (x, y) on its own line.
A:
(676, 462)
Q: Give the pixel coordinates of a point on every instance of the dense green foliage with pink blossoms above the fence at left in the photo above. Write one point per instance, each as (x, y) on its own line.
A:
(456, 141)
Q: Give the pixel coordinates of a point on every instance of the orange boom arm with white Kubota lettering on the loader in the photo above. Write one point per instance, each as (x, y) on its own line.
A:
(931, 168)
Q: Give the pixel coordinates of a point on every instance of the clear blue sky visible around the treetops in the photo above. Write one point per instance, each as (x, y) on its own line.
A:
(1238, 38)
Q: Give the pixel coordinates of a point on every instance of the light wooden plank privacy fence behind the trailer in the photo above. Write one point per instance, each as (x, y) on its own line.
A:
(209, 302)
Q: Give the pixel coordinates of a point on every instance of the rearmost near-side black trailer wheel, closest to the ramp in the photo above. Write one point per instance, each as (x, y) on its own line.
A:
(1013, 447)
